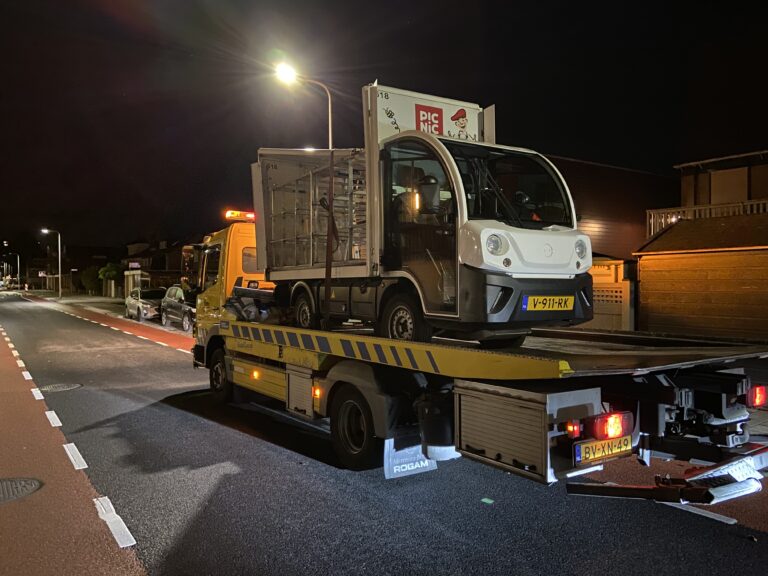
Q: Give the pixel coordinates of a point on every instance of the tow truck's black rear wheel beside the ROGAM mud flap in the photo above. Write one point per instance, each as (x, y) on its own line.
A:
(352, 431)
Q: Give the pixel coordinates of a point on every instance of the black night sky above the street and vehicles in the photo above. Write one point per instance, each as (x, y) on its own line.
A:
(139, 119)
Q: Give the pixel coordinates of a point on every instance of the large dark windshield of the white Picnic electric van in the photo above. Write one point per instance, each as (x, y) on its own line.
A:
(516, 188)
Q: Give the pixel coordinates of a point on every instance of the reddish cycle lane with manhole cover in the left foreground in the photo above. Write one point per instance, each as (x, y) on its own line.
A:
(57, 529)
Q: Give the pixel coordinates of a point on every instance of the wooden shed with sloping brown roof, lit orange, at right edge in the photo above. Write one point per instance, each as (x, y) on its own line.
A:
(706, 277)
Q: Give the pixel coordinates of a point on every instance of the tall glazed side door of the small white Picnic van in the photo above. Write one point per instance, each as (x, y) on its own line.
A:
(420, 220)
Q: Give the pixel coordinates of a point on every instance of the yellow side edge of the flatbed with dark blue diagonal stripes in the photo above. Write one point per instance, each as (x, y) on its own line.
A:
(320, 350)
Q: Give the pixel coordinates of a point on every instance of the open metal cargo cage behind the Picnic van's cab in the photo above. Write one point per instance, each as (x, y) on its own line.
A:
(291, 198)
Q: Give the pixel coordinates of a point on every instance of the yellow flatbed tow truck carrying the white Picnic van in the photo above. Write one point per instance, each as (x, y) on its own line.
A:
(564, 405)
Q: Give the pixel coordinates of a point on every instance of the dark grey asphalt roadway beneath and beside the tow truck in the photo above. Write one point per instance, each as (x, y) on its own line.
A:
(208, 490)
